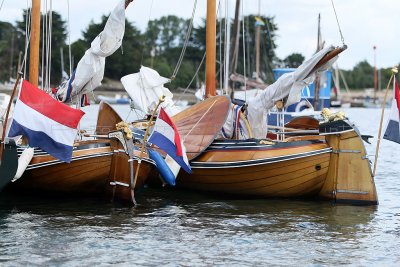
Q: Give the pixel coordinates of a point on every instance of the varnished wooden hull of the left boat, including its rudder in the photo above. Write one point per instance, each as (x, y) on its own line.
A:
(93, 171)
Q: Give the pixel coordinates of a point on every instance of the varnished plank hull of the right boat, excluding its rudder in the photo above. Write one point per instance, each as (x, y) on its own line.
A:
(297, 170)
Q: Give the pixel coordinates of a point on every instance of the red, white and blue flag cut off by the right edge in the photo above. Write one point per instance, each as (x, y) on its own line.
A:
(392, 131)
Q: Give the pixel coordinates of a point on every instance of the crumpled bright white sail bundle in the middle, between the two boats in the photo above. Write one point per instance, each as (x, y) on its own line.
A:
(145, 89)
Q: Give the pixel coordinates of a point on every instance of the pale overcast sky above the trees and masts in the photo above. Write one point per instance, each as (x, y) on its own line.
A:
(364, 23)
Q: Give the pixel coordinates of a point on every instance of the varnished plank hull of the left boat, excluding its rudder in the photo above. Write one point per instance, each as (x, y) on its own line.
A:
(87, 174)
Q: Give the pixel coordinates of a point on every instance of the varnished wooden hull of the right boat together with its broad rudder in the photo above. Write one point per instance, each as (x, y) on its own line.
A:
(332, 166)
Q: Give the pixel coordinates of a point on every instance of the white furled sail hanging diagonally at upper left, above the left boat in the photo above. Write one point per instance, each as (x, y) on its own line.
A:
(90, 70)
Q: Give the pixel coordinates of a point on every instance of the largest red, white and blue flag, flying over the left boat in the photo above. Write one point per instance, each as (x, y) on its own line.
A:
(45, 122)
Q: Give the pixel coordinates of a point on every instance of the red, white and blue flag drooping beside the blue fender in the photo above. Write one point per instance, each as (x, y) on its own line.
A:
(166, 136)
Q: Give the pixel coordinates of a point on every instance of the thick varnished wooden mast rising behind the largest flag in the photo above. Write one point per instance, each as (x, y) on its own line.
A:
(35, 43)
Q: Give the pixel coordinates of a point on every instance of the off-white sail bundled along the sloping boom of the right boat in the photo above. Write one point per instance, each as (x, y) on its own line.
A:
(288, 85)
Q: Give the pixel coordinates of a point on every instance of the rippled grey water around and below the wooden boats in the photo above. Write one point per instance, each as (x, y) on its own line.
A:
(186, 229)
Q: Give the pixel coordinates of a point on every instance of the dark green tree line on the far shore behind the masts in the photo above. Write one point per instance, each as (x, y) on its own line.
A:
(159, 46)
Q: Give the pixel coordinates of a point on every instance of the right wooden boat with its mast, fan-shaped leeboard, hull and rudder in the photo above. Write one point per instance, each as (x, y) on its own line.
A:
(331, 164)
